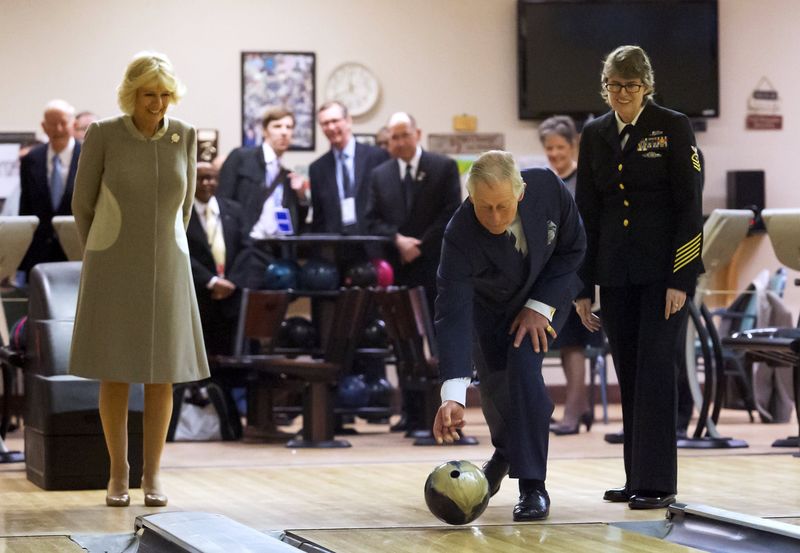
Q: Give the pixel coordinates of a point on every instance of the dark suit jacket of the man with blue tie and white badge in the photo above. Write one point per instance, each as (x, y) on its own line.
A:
(325, 192)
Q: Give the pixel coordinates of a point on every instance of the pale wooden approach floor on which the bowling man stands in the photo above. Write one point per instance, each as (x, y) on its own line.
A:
(377, 484)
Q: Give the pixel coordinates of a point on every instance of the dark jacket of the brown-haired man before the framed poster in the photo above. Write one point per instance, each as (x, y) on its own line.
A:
(242, 179)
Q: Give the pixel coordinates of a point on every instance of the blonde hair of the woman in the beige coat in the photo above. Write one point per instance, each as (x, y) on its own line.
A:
(145, 68)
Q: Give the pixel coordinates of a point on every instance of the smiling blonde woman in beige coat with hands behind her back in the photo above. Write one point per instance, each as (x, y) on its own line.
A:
(137, 318)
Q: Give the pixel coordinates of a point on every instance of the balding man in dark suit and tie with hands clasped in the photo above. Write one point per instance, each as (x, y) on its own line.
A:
(411, 199)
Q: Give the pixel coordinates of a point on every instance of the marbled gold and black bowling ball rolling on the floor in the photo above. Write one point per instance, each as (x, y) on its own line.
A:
(457, 492)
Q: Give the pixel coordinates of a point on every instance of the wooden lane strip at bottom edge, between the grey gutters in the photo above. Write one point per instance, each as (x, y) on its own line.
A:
(552, 538)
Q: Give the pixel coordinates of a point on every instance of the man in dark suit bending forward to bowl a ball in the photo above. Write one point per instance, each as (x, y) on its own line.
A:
(506, 279)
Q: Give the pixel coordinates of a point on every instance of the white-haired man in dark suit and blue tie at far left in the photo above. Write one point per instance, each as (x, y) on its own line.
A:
(47, 175)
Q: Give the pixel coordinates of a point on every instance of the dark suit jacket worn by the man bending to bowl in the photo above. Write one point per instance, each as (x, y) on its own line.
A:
(478, 291)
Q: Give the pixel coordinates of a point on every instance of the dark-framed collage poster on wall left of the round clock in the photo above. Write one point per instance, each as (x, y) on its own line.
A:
(275, 79)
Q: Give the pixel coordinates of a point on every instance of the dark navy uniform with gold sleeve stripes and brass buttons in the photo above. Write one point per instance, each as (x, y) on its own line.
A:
(642, 209)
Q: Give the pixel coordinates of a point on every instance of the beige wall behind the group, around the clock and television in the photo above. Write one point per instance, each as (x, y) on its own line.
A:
(435, 58)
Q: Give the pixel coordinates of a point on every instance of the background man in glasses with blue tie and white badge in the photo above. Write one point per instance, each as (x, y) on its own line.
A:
(338, 178)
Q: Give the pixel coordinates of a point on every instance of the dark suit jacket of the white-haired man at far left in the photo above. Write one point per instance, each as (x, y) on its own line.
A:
(35, 200)
